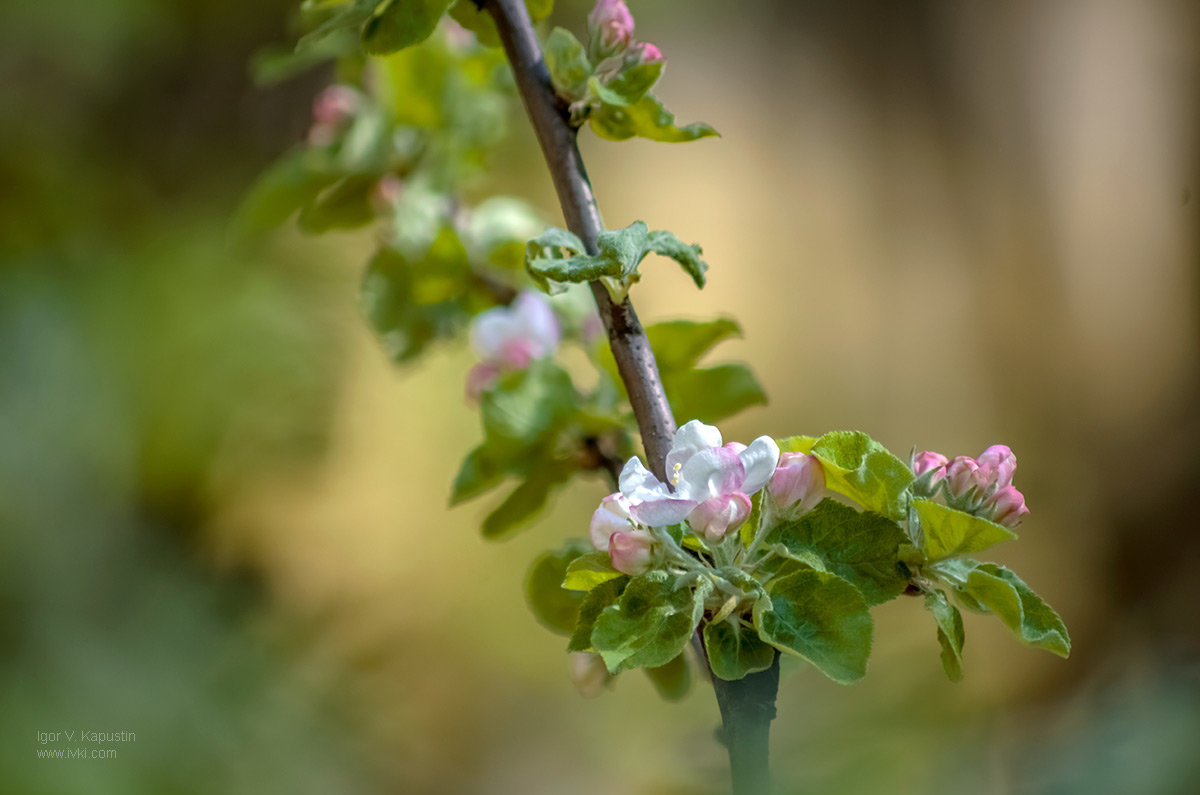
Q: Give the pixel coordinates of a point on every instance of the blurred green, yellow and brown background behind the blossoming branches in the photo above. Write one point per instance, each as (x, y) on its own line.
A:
(223, 511)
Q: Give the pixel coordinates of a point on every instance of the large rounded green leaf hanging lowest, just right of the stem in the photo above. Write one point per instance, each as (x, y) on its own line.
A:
(820, 618)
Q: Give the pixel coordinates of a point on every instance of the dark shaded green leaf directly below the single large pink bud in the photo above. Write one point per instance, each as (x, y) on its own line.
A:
(861, 548)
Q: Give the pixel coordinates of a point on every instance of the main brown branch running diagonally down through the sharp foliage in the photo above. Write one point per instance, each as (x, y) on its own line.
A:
(747, 706)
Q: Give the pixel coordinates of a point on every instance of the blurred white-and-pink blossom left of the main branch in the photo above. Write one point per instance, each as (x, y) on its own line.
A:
(512, 338)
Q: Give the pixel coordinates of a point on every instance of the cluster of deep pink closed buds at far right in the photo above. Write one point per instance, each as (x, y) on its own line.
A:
(983, 486)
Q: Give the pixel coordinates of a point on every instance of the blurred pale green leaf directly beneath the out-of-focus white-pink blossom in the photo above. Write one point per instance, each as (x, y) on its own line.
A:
(524, 407)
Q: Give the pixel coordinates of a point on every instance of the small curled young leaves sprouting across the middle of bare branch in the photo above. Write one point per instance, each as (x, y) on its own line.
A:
(557, 258)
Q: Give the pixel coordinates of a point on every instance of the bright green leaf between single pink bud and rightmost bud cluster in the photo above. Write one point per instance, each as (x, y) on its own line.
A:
(863, 470)
